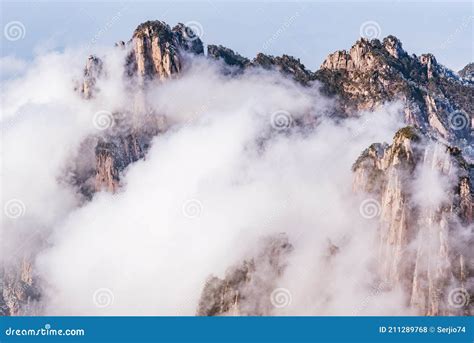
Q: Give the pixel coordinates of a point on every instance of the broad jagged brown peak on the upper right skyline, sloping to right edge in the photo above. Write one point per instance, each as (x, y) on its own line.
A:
(373, 72)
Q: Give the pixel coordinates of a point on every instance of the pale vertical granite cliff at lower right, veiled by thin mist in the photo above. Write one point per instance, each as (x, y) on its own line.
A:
(421, 247)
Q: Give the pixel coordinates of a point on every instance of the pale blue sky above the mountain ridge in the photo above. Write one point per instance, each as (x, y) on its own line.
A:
(309, 30)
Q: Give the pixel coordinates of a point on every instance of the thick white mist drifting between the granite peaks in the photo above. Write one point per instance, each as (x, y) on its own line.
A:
(231, 167)
